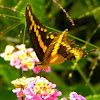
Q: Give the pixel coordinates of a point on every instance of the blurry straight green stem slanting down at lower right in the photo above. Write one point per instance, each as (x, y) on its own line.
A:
(85, 79)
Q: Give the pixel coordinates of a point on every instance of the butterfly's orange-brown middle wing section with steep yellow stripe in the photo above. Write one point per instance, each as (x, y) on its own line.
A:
(51, 56)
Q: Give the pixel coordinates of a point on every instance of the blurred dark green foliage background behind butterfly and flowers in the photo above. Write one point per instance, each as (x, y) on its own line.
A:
(82, 76)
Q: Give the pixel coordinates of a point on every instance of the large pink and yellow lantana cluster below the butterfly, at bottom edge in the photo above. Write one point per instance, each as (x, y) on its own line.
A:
(35, 88)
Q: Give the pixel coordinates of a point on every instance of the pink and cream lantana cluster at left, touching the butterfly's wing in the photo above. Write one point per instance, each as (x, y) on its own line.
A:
(22, 57)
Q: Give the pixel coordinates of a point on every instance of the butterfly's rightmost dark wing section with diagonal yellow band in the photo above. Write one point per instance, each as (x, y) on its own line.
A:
(68, 49)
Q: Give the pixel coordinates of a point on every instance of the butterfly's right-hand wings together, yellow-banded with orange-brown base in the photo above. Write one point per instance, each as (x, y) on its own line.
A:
(61, 49)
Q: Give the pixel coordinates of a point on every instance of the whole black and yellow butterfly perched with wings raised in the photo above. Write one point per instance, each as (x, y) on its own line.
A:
(51, 48)
